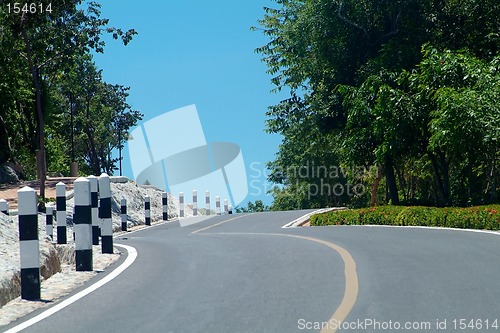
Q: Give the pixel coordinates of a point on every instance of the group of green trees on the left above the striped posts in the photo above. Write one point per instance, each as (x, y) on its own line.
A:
(55, 107)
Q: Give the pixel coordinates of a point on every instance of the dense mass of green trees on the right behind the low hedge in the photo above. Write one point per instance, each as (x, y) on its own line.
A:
(390, 101)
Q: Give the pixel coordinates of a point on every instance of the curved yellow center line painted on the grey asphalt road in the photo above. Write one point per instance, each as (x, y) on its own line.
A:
(350, 273)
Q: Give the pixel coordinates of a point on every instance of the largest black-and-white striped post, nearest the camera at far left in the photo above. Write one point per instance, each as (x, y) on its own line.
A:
(29, 244)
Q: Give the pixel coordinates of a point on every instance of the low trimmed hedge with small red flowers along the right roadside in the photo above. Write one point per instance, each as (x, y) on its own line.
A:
(479, 217)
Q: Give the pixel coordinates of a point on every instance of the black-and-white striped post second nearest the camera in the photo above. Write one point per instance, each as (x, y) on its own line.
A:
(82, 220)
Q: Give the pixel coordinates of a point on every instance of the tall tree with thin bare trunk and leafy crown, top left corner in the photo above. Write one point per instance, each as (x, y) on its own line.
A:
(48, 42)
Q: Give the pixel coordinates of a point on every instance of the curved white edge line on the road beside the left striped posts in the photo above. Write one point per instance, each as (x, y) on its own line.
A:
(131, 256)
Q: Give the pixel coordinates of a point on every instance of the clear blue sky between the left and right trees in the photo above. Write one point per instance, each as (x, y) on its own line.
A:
(198, 52)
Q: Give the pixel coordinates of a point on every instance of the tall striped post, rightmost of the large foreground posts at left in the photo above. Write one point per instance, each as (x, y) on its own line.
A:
(105, 214)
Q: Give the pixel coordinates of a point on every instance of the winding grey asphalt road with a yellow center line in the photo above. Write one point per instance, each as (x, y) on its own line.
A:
(244, 273)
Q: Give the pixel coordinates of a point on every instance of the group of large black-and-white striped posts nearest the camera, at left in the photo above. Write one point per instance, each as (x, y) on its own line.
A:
(84, 226)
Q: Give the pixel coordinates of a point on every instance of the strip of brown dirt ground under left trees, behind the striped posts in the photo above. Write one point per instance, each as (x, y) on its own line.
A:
(9, 191)
